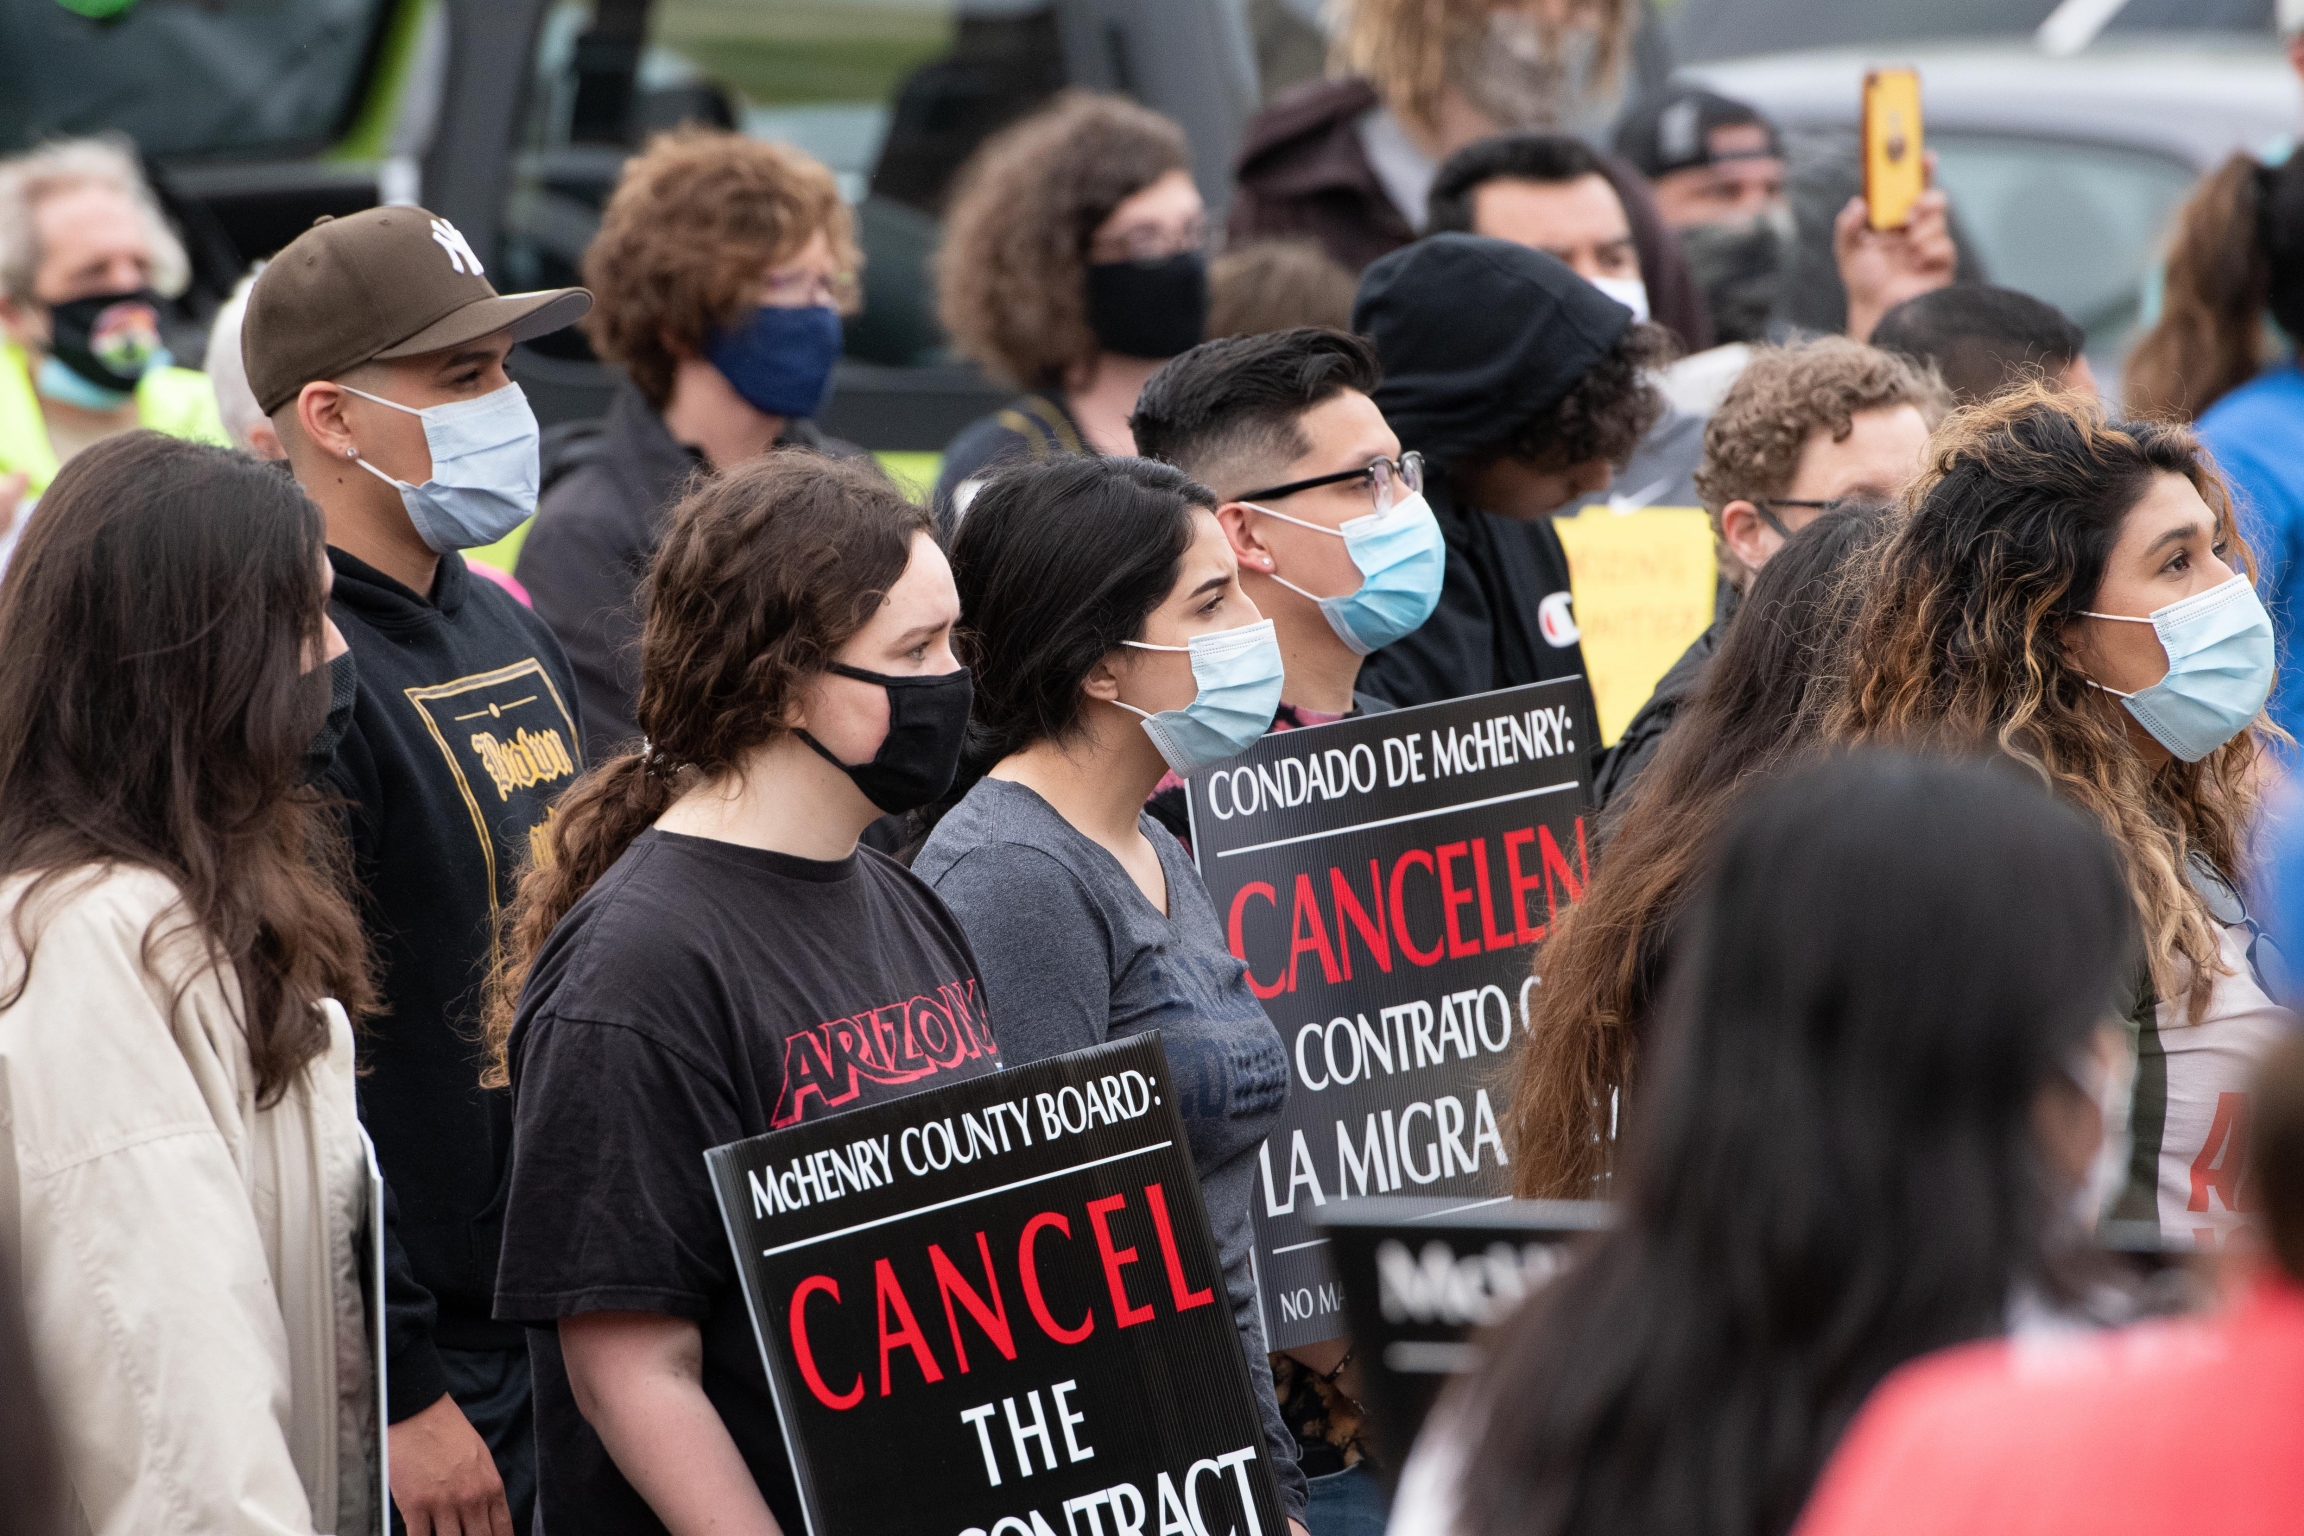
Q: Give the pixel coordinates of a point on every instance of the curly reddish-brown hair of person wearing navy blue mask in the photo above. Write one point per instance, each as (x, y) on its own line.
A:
(697, 218)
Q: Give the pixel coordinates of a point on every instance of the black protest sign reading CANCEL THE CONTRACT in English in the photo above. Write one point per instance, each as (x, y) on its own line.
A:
(996, 1309)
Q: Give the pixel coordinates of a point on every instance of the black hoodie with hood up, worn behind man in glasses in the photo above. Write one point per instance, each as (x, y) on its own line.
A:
(1478, 337)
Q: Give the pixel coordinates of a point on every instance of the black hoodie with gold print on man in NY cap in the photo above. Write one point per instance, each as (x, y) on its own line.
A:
(462, 738)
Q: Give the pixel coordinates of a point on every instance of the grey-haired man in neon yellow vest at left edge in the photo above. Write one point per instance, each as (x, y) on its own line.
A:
(86, 261)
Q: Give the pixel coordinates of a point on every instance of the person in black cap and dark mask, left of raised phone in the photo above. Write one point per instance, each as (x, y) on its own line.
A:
(1720, 183)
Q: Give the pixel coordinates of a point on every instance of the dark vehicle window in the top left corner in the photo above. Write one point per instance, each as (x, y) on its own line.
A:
(188, 82)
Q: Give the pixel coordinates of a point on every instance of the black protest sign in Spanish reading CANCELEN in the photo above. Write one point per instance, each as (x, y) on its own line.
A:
(1386, 879)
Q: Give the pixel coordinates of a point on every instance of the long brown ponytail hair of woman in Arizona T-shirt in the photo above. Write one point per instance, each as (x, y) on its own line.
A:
(764, 575)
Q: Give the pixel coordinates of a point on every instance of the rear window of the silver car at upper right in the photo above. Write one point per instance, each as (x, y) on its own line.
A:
(2072, 225)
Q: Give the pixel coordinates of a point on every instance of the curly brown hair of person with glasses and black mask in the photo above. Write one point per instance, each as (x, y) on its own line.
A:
(1010, 277)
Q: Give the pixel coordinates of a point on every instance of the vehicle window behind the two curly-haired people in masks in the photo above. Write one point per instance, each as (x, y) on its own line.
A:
(893, 96)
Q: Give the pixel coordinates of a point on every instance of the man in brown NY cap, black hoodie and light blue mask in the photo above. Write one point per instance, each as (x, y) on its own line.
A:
(377, 347)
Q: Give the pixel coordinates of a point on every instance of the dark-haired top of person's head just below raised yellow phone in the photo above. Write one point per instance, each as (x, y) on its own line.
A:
(1983, 340)
